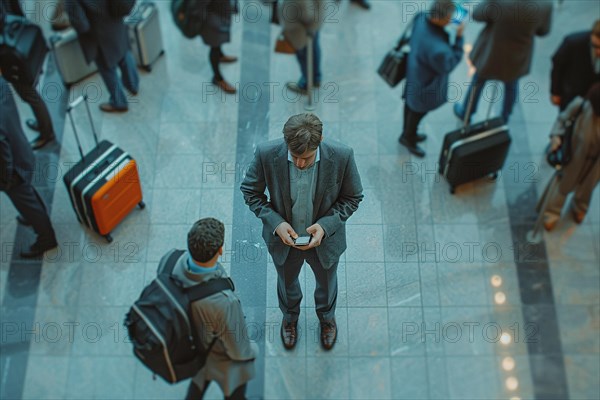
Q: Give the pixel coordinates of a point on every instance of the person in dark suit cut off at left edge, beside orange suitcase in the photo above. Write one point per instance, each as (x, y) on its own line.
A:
(17, 166)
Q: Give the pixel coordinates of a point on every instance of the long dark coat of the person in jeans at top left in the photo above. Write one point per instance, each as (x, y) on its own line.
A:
(100, 35)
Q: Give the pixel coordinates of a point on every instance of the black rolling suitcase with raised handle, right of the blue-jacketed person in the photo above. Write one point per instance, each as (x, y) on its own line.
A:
(474, 151)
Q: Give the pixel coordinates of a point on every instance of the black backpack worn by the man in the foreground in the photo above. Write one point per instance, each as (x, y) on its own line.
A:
(163, 335)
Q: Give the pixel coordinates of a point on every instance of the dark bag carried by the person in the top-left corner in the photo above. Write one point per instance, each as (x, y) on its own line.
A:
(23, 50)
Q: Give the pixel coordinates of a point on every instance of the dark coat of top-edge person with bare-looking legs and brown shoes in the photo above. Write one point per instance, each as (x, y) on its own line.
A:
(216, 28)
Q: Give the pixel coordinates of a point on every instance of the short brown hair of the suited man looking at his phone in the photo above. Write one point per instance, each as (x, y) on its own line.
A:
(302, 133)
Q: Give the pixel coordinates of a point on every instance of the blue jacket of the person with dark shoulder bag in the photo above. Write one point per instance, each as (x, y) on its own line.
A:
(430, 61)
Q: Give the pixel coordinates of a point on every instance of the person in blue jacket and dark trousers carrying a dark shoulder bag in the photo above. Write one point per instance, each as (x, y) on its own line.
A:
(432, 57)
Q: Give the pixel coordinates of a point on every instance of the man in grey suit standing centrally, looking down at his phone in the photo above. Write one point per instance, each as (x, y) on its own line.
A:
(314, 187)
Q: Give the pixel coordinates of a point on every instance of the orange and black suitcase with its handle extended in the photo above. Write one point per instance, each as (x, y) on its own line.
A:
(105, 185)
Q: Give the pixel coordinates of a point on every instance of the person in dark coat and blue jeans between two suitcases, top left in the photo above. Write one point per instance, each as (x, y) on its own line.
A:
(104, 39)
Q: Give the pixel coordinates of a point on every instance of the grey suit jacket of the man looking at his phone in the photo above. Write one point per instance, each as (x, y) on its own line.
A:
(338, 193)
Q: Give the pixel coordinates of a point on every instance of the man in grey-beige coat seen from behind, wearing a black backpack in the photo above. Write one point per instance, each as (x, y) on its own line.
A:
(219, 319)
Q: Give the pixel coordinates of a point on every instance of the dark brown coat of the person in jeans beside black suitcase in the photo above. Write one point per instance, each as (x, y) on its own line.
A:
(504, 48)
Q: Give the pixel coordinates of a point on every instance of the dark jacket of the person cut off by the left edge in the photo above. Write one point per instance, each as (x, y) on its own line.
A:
(10, 127)
